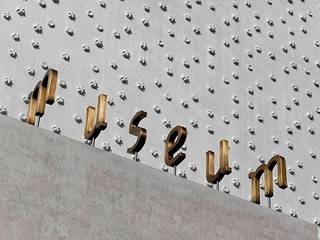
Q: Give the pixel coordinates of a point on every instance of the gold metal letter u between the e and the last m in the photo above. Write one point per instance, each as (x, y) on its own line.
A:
(224, 169)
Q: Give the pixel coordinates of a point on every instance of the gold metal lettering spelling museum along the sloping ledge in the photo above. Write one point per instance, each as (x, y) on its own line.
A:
(45, 91)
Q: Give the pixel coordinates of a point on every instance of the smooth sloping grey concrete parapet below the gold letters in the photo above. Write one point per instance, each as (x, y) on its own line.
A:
(55, 188)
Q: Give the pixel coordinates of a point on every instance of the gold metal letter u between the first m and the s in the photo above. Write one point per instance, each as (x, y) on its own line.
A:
(96, 118)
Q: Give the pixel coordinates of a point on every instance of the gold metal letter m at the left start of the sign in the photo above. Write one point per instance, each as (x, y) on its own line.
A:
(44, 92)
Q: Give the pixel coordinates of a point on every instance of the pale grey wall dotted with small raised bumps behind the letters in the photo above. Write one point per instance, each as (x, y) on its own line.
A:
(283, 74)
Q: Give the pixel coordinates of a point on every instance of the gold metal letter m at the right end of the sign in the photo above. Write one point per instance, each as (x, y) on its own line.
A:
(266, 169)
